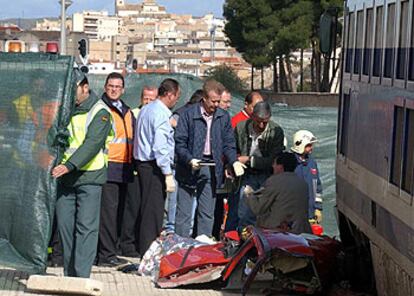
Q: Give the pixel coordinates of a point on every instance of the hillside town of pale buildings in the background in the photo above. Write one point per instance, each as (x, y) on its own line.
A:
(143, 37)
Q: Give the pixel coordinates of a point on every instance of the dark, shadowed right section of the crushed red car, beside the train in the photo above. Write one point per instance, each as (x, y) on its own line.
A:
(283, 254)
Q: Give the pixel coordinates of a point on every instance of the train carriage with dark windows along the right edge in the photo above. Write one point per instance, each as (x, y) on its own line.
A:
(375, 147)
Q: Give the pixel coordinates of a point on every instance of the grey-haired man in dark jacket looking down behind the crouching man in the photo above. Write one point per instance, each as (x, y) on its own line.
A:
(258, 141)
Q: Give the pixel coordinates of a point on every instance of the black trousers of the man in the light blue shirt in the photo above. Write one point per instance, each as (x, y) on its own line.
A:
(152, 187)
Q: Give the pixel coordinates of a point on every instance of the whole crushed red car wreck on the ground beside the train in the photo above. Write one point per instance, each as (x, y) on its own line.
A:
(300, 263)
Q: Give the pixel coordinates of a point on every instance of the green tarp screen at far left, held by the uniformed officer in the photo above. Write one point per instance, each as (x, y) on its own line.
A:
(36, 96)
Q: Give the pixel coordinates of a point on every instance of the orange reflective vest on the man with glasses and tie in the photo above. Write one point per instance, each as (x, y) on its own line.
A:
(120, 148)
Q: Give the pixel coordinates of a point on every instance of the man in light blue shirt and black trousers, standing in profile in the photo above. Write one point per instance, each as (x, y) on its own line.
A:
(154, 152)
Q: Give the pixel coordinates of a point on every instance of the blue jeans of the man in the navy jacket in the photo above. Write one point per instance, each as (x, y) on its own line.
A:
(204, 194)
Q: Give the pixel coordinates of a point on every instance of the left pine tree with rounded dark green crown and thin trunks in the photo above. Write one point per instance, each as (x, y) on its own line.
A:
(266, 30)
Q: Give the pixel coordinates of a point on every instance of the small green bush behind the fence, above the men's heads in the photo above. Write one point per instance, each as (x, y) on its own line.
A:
(227, 77)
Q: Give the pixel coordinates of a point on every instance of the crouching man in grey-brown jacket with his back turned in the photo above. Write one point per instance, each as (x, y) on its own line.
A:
(283, 201)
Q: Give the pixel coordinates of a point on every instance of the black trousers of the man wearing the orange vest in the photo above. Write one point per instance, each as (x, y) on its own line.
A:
(112, 208)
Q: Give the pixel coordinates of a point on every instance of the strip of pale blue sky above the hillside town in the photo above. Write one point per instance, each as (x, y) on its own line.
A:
(49, 8)
